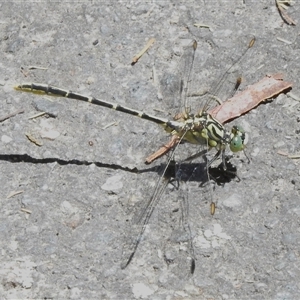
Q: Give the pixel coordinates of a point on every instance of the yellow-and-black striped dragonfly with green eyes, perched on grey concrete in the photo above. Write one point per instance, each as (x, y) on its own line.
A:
(198, 128)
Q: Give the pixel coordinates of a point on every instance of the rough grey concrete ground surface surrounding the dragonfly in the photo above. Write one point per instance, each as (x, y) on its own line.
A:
(62, 235)
